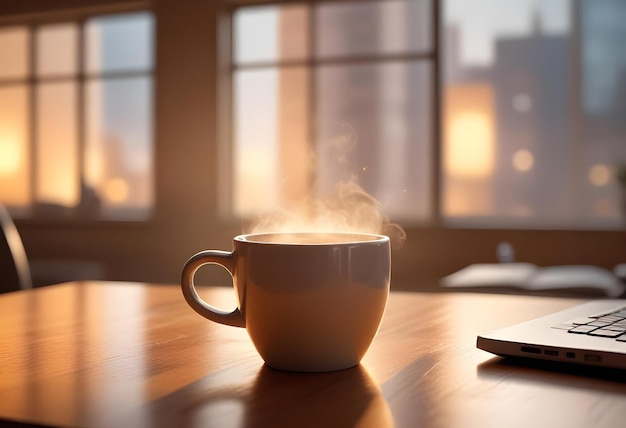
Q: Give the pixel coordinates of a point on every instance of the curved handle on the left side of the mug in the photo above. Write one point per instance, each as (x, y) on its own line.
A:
(222, 258)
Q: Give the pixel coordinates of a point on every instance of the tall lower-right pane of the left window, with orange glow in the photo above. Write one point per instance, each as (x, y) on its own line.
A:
(119, 171)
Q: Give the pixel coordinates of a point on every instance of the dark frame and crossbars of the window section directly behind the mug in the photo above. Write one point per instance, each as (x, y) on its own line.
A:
(431, 57)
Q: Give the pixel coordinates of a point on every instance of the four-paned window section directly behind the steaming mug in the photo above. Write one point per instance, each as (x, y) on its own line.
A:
(324, 100)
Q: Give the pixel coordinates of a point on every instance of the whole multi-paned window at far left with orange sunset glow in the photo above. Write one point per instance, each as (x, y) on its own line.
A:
(76, 117)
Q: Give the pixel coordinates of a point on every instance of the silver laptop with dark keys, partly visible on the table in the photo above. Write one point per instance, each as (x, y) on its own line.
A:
(593, 333)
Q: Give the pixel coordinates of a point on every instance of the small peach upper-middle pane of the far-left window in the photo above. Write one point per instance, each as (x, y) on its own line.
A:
(56, 50)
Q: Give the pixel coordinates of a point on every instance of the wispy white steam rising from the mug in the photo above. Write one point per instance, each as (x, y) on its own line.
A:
(340, 203)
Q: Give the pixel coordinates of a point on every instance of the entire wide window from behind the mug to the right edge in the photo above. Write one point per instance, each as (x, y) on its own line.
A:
(485, 113)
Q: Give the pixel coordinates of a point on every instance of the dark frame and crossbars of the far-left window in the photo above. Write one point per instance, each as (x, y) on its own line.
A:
(81, 77)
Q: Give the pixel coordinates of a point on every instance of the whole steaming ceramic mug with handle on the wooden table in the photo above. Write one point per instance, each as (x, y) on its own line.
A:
(310, 302)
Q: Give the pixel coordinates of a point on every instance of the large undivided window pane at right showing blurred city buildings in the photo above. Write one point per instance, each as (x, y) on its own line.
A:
(524, 143)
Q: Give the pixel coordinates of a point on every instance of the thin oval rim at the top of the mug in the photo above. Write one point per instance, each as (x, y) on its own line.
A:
(370, 238)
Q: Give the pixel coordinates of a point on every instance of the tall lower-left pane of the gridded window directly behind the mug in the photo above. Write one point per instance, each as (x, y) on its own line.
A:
(273, 161)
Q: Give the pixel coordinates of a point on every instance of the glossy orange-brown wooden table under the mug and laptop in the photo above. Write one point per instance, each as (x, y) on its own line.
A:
(131, 355)
